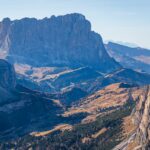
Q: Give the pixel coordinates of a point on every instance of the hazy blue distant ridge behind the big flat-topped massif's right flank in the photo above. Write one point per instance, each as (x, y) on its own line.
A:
(135, 58)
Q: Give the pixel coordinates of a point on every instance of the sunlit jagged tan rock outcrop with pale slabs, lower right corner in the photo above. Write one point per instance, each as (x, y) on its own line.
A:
(139, 138)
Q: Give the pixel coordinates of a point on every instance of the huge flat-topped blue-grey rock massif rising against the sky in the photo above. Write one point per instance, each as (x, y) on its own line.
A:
(56, 41)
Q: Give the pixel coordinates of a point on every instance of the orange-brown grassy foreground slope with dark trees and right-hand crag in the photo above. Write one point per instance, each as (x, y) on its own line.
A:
(115, 117)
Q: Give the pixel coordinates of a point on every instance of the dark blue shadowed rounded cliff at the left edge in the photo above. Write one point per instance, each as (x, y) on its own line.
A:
(7, 75)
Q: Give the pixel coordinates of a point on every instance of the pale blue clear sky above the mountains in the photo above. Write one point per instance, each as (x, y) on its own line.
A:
(118, 20)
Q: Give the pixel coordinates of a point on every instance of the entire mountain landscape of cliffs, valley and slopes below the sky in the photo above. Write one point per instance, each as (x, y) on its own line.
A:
(62, 88)
